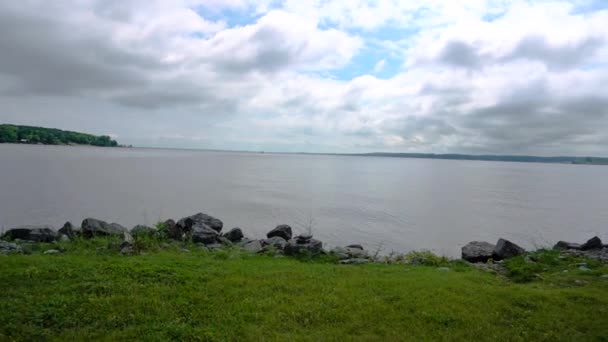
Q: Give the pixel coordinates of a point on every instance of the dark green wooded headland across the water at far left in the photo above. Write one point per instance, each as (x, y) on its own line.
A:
(50, 136)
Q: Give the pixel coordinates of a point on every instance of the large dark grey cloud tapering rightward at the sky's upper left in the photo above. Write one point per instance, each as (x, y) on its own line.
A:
(45, 56)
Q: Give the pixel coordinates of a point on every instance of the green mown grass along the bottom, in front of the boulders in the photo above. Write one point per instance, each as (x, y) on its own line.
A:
(91, 292)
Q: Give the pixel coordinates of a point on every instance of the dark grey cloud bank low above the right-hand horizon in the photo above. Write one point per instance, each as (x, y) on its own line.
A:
(533, 120)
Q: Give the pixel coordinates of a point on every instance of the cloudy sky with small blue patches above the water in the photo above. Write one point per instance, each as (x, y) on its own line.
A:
(435, 76)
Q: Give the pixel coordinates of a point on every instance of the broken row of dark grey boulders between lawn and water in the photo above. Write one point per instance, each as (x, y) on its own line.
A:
(206, 232)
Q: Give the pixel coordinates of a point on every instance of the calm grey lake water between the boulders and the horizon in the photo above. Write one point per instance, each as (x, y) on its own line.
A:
(388, 203)
